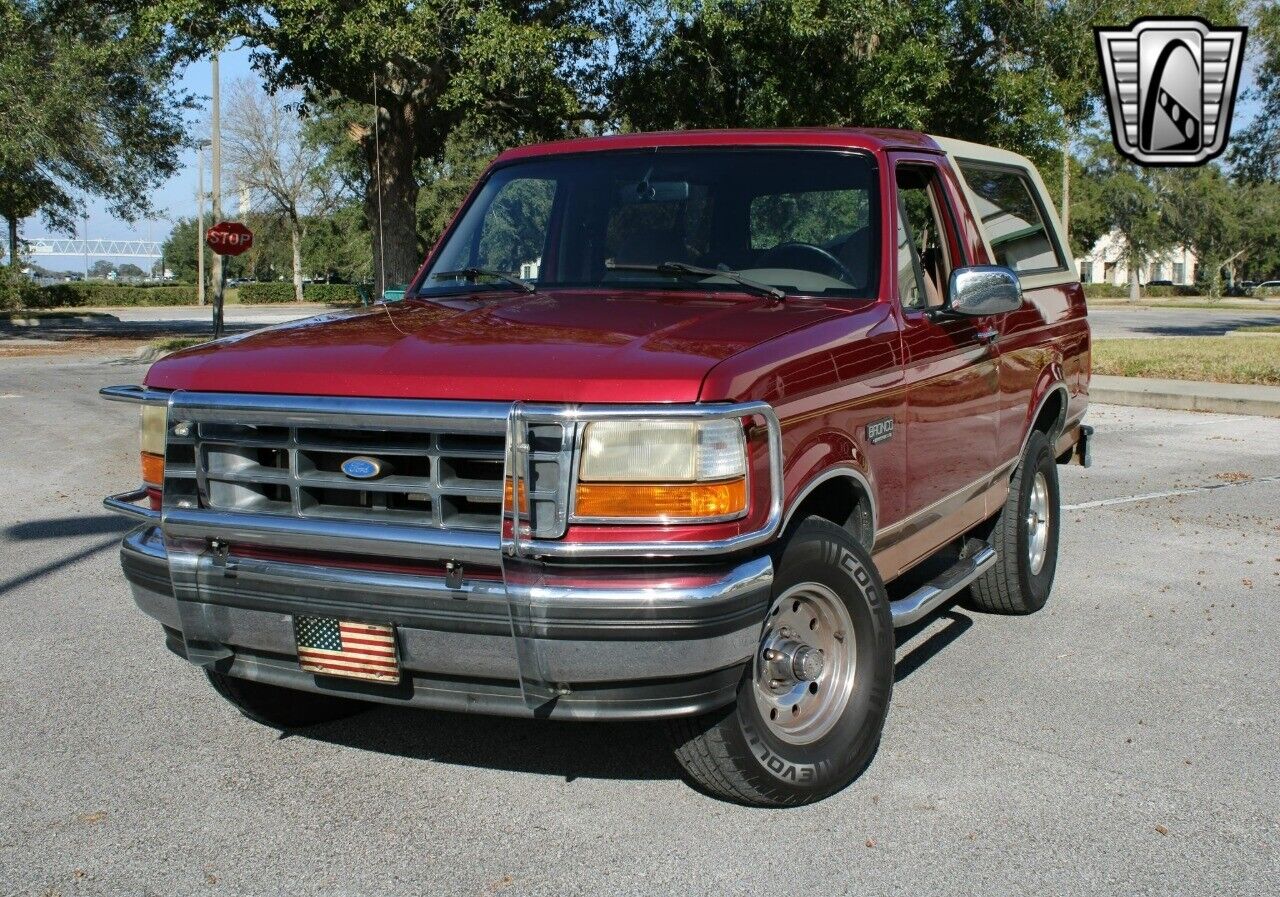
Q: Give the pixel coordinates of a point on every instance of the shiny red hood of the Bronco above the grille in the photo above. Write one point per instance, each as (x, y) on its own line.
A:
(582, 346)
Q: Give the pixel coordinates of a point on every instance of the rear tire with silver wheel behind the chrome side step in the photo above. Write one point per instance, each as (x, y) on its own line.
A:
(1025, 536)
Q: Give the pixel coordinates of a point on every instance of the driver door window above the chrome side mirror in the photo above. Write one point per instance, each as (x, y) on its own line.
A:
(924, 258)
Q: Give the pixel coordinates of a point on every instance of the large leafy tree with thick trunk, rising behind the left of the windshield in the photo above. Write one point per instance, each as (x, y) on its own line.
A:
(506, 65)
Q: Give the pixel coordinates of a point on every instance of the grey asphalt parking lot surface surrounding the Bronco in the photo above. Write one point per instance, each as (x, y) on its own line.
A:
(1122, 742)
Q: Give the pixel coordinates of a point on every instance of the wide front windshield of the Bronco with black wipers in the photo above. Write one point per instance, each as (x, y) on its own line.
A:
(799, 221)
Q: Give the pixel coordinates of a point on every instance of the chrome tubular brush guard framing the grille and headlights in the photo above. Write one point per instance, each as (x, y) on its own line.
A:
(182, 516)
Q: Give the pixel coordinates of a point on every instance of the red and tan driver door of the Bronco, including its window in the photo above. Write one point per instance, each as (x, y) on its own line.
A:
(952, 368)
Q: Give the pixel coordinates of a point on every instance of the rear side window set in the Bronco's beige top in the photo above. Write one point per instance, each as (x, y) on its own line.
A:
(1013, 218)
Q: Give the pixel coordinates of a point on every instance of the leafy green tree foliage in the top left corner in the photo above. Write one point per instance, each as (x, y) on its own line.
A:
(86, 108)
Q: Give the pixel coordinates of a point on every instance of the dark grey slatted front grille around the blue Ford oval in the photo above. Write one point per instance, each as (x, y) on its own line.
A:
(437, 475)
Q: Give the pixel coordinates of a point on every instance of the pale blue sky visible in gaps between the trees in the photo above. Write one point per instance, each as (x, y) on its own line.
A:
(177, 198)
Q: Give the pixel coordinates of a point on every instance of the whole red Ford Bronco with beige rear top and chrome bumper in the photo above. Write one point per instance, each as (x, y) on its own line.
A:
(646, 440)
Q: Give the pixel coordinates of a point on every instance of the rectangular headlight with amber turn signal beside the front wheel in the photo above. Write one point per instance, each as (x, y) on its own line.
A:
(662, 472)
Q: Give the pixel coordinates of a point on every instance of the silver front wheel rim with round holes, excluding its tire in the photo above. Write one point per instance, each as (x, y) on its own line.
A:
(806, 667)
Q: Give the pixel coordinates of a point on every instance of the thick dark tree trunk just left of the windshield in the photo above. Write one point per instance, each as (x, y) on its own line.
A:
(391, 199)
